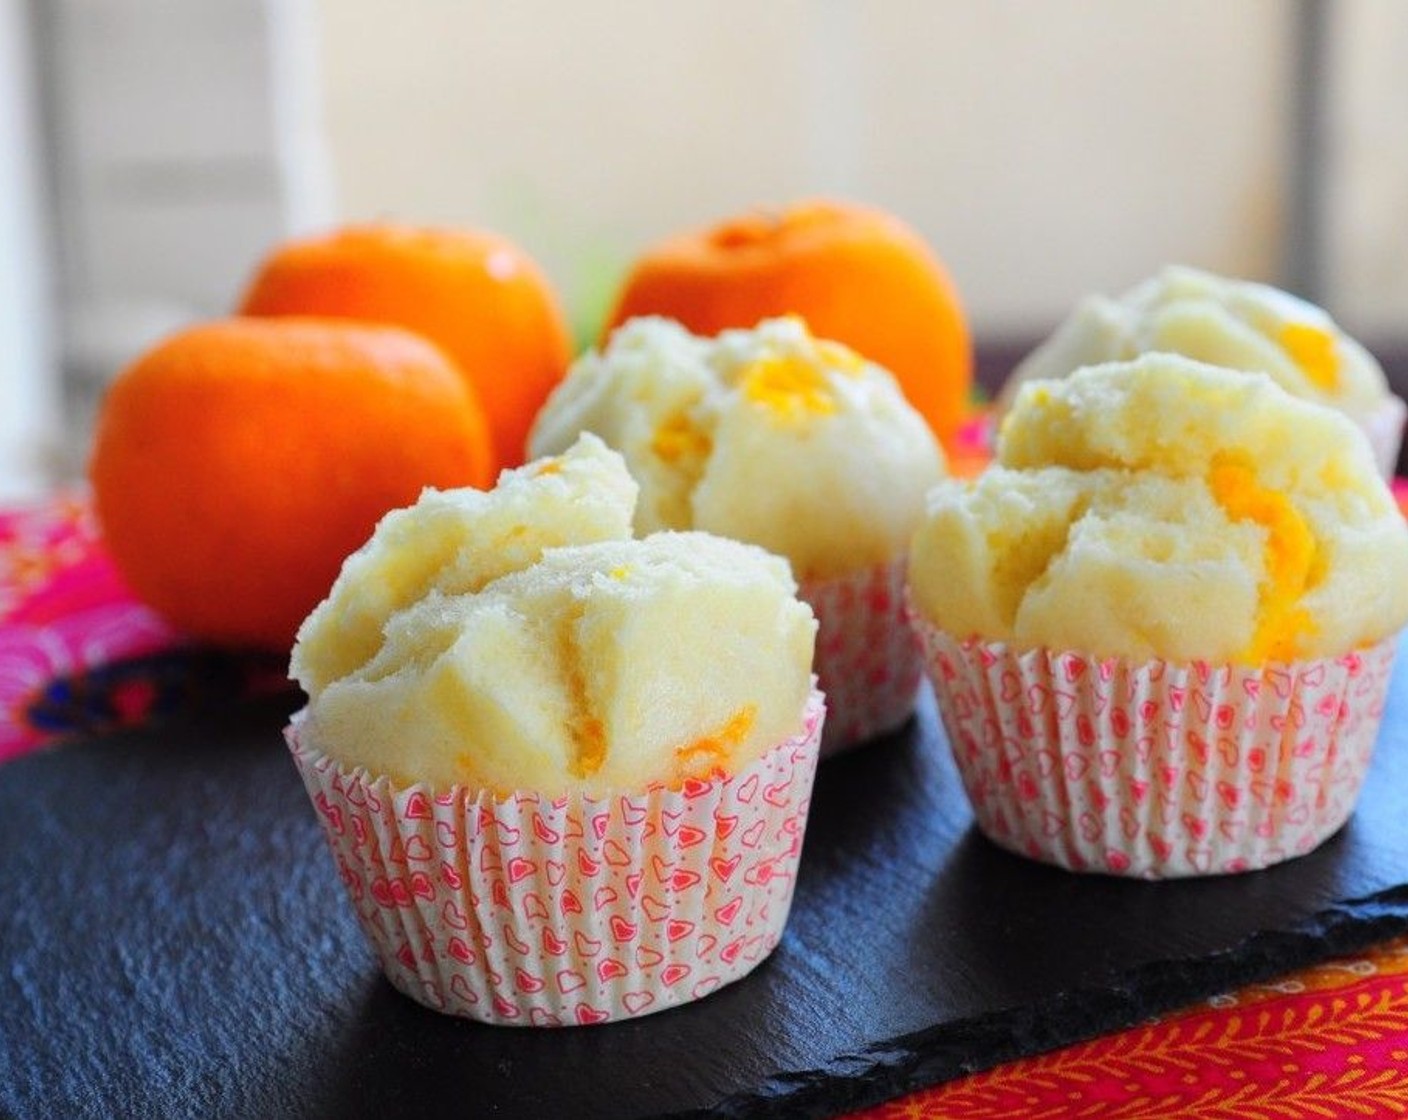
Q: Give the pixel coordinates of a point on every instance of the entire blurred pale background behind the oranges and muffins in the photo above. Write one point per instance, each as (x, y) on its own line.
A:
(1047, 149)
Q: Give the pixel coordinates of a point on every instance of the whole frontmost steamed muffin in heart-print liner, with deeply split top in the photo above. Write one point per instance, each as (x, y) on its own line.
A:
(561, 770)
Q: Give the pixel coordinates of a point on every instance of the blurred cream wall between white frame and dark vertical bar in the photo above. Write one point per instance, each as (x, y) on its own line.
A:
(1045, 149)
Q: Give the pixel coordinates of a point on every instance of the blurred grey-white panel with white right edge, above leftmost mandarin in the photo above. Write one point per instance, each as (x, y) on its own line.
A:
(185, 143)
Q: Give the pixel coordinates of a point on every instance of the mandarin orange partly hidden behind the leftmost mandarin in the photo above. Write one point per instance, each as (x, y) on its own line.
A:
(474, 294)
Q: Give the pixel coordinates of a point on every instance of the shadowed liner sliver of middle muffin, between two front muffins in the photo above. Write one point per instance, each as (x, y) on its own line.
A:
(868, 660)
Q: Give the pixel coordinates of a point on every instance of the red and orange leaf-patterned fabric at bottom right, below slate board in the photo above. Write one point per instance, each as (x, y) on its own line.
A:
(1330, 1042)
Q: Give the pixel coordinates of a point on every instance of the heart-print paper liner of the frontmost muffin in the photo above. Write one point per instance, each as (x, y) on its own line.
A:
(532, 911)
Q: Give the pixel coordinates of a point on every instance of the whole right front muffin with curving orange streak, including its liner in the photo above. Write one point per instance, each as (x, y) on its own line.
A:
(1176, 584)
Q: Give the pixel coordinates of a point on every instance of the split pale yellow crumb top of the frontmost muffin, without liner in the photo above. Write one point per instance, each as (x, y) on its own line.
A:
(475, 643)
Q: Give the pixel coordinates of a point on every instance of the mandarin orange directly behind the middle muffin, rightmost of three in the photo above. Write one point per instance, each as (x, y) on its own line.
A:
(858, 275)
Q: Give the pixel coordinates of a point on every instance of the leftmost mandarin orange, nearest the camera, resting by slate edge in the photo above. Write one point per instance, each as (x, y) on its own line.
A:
(239, 463)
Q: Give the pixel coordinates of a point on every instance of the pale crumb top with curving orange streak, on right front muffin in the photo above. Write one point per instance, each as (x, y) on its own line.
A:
(1168, 509)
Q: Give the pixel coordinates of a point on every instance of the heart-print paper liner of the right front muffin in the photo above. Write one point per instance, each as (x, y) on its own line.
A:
(1157, 770)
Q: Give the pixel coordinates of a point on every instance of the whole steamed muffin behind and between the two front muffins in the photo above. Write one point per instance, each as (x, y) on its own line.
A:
(786, 442)
